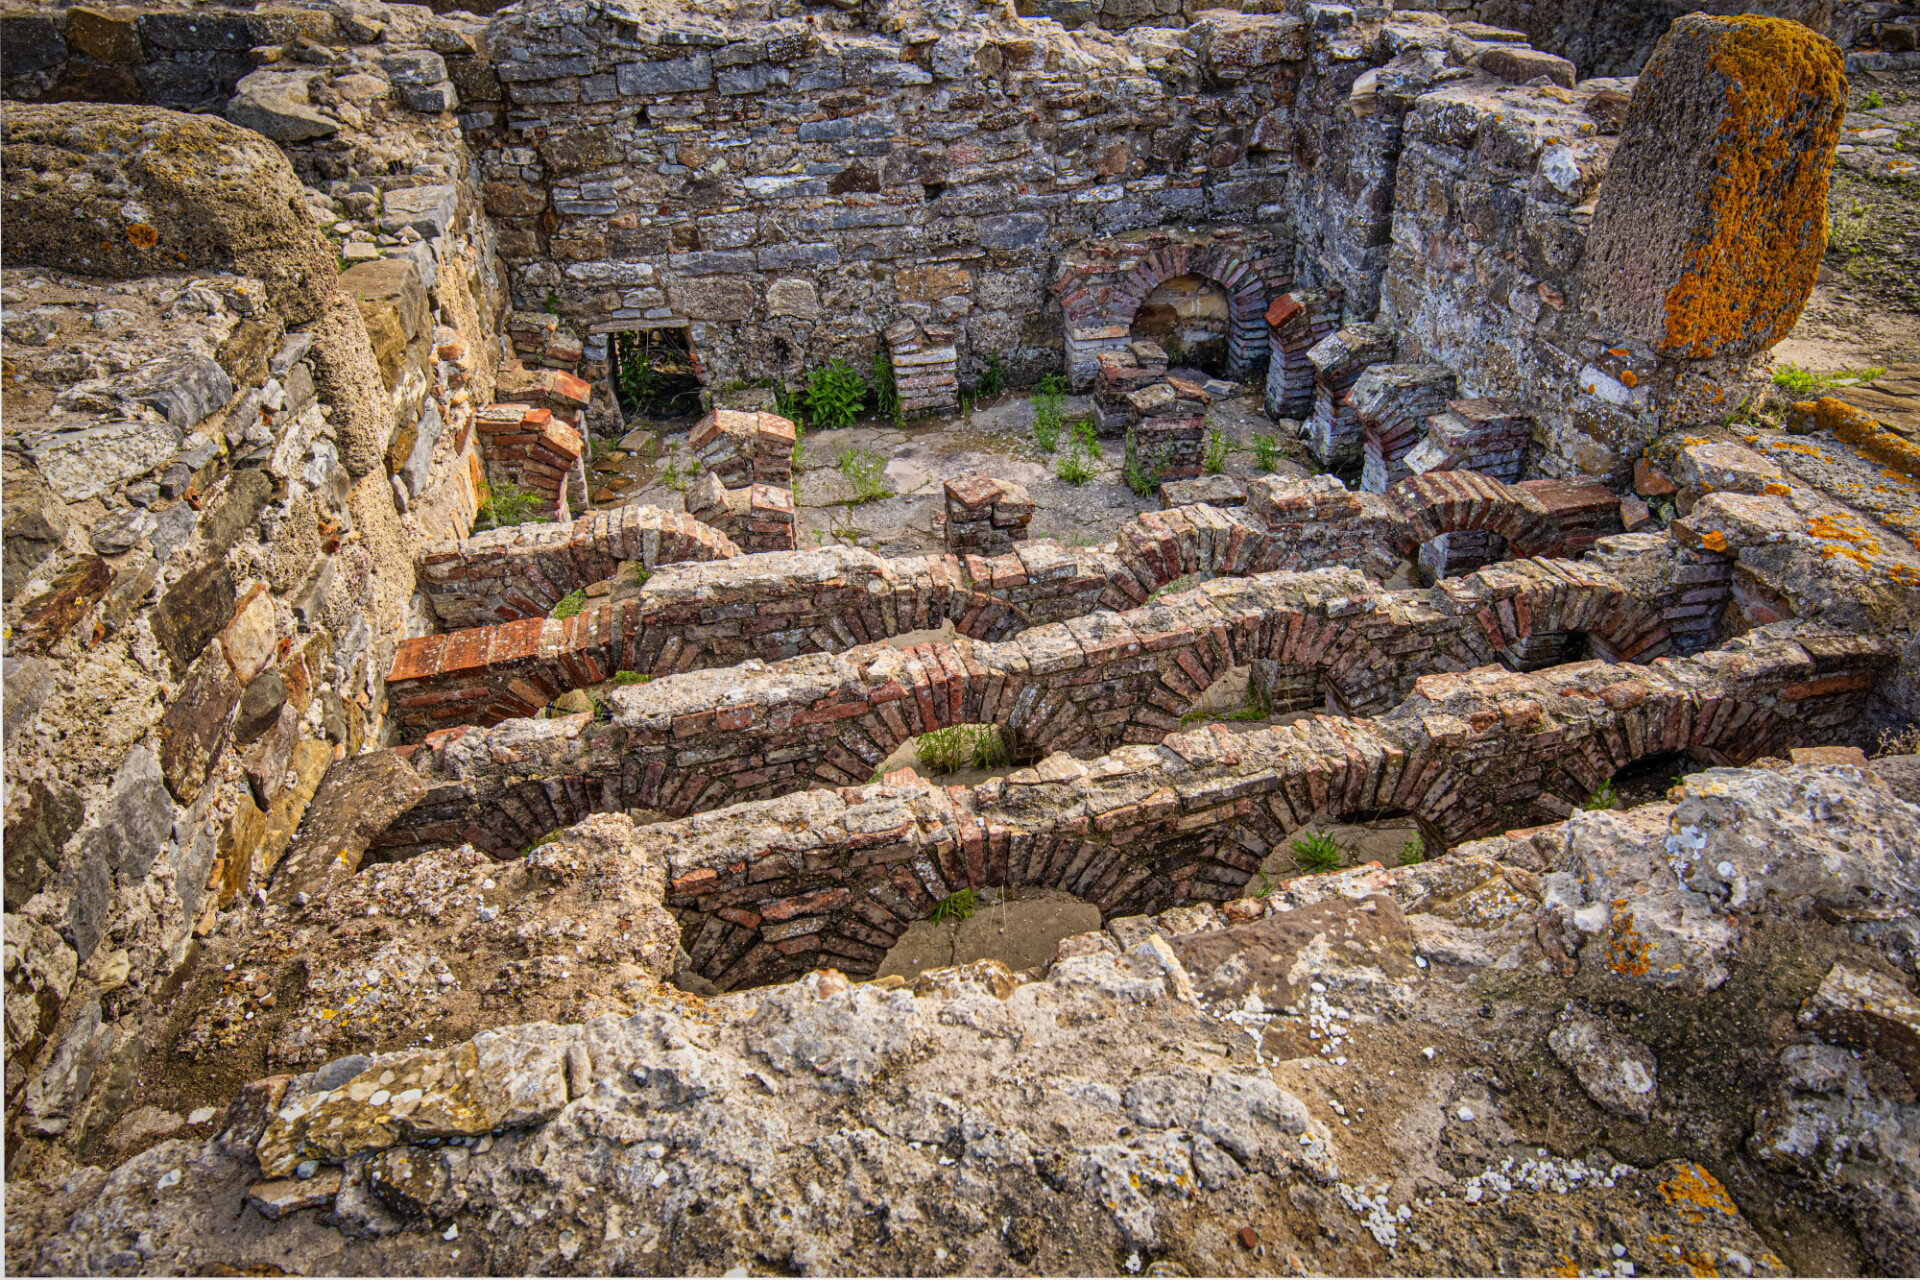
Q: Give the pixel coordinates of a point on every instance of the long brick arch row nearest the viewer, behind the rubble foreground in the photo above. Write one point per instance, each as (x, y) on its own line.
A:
(834, 876)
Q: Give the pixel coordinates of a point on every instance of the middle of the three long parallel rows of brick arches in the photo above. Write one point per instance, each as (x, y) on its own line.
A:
(708, 740)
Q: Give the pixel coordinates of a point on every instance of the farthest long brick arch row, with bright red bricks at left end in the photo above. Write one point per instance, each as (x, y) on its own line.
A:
(782, 605)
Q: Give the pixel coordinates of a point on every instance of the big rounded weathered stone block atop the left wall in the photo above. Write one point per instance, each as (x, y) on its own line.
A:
(191, 193)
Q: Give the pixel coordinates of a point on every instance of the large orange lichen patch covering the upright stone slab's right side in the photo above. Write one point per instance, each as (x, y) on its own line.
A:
(1748, 279)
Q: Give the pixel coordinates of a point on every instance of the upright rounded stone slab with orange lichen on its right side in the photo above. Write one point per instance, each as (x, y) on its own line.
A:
(1712, 220)
